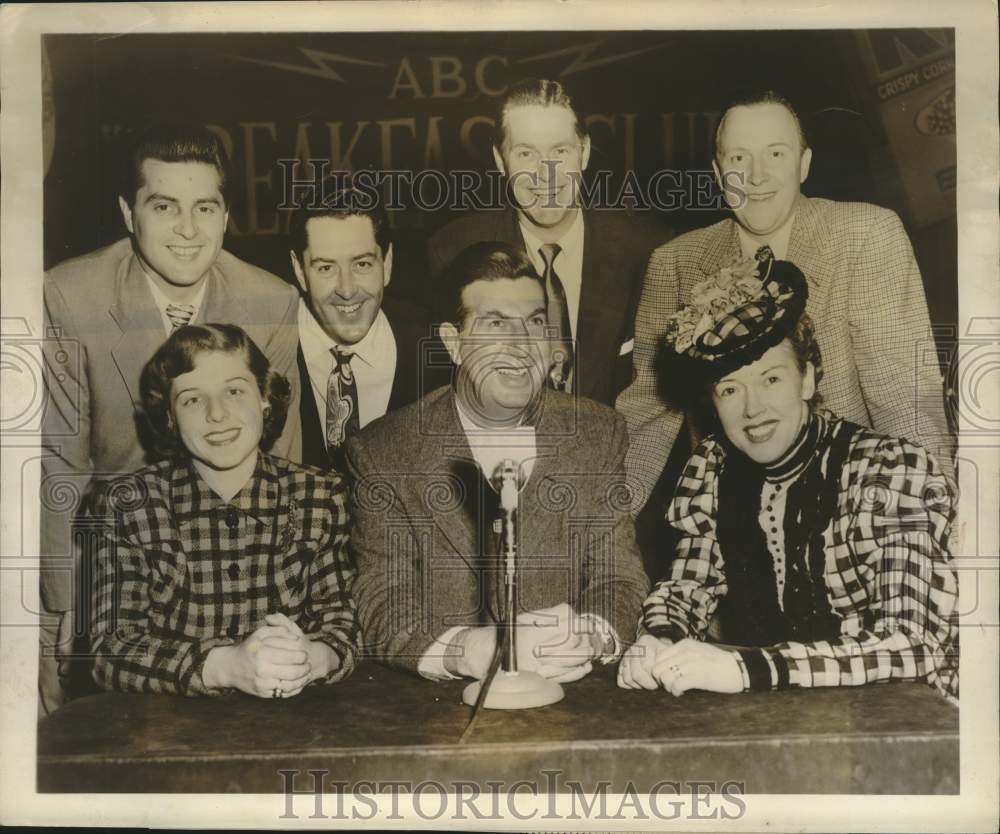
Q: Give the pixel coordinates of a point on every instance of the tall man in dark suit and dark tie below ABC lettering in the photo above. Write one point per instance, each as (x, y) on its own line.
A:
(593, 261)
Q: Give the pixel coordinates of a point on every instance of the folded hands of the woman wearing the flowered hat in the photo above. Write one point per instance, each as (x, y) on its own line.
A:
(653, 662)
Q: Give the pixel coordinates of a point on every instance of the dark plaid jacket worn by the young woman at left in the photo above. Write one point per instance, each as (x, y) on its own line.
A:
(180, 571)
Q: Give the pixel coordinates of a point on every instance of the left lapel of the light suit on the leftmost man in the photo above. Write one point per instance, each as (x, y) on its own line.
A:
(134, 311)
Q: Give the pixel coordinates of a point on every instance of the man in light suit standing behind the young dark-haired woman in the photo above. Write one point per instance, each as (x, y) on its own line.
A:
(106, 313)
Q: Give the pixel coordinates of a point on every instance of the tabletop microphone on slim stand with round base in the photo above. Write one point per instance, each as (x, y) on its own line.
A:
(512, 688)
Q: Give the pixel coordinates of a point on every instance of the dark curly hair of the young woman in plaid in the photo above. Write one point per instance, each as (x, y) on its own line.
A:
(177, 356)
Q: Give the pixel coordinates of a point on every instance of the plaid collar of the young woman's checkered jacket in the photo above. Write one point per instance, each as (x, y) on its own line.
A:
(192, 498)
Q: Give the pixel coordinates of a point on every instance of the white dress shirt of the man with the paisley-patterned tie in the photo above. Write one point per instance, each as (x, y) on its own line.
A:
(373, 364)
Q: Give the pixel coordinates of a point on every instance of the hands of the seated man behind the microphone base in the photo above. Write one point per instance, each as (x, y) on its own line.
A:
(554, 642)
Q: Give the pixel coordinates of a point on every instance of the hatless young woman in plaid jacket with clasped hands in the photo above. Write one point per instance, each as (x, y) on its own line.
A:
(225, 568)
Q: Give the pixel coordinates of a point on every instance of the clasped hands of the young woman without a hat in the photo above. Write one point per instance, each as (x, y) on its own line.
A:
(276, 661)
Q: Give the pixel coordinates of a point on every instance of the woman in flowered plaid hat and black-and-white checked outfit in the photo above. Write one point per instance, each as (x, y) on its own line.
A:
(820, 545)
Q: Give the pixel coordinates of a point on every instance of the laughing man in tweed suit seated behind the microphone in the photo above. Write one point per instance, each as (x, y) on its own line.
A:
(424, 505)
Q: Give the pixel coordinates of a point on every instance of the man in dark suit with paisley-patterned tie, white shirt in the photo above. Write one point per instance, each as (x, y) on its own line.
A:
(359, 349)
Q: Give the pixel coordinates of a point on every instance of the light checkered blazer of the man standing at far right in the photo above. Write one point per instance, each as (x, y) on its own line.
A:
(866, 299)
